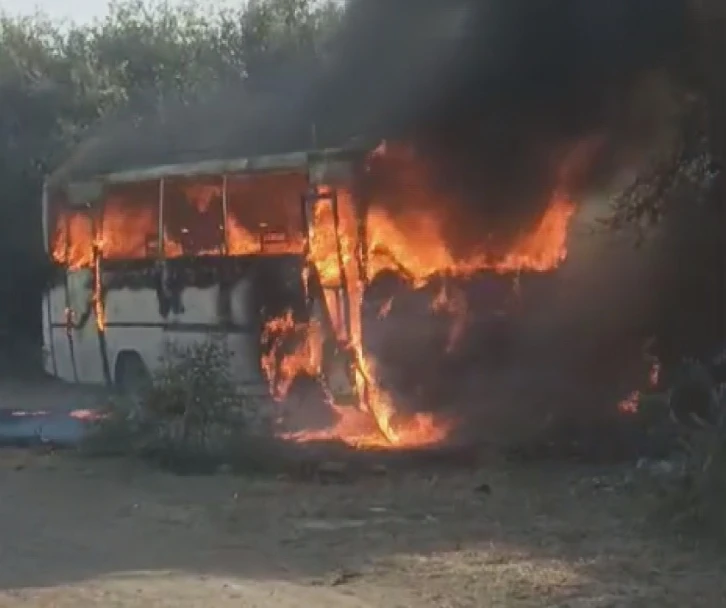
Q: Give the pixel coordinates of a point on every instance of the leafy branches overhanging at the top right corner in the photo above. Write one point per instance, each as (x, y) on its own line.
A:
(688, 167)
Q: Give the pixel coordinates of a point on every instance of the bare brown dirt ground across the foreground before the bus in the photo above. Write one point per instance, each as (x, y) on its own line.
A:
(86, 532)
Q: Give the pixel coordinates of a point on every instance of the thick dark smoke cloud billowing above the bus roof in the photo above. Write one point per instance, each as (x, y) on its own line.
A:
(490, 87)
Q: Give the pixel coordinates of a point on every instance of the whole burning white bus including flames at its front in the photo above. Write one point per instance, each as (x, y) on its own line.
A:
(289, 260)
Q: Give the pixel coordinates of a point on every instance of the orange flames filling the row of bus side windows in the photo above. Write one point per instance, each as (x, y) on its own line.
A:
(126, 227)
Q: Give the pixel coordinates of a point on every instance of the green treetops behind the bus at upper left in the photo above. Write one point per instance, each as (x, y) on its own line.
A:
(59, 81)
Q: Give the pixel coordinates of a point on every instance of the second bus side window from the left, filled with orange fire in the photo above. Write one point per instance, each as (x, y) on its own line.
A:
(130, 221)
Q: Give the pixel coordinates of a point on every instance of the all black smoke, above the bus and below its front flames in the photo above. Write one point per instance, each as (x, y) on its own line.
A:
(495, 94)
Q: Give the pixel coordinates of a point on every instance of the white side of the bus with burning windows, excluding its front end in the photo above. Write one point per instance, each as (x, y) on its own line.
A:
(183, 252)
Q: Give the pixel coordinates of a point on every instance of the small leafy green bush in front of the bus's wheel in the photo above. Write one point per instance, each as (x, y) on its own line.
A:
(189, 417)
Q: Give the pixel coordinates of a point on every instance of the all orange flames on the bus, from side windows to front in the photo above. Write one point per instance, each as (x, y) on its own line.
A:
(409, 242)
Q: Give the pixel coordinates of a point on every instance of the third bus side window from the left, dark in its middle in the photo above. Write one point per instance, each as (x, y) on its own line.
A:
(193, 217)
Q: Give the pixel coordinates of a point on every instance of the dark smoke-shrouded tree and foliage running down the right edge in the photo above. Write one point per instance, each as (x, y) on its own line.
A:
(683, 191)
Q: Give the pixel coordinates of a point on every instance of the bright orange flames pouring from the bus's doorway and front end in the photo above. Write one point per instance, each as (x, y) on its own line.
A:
(411, 244)
